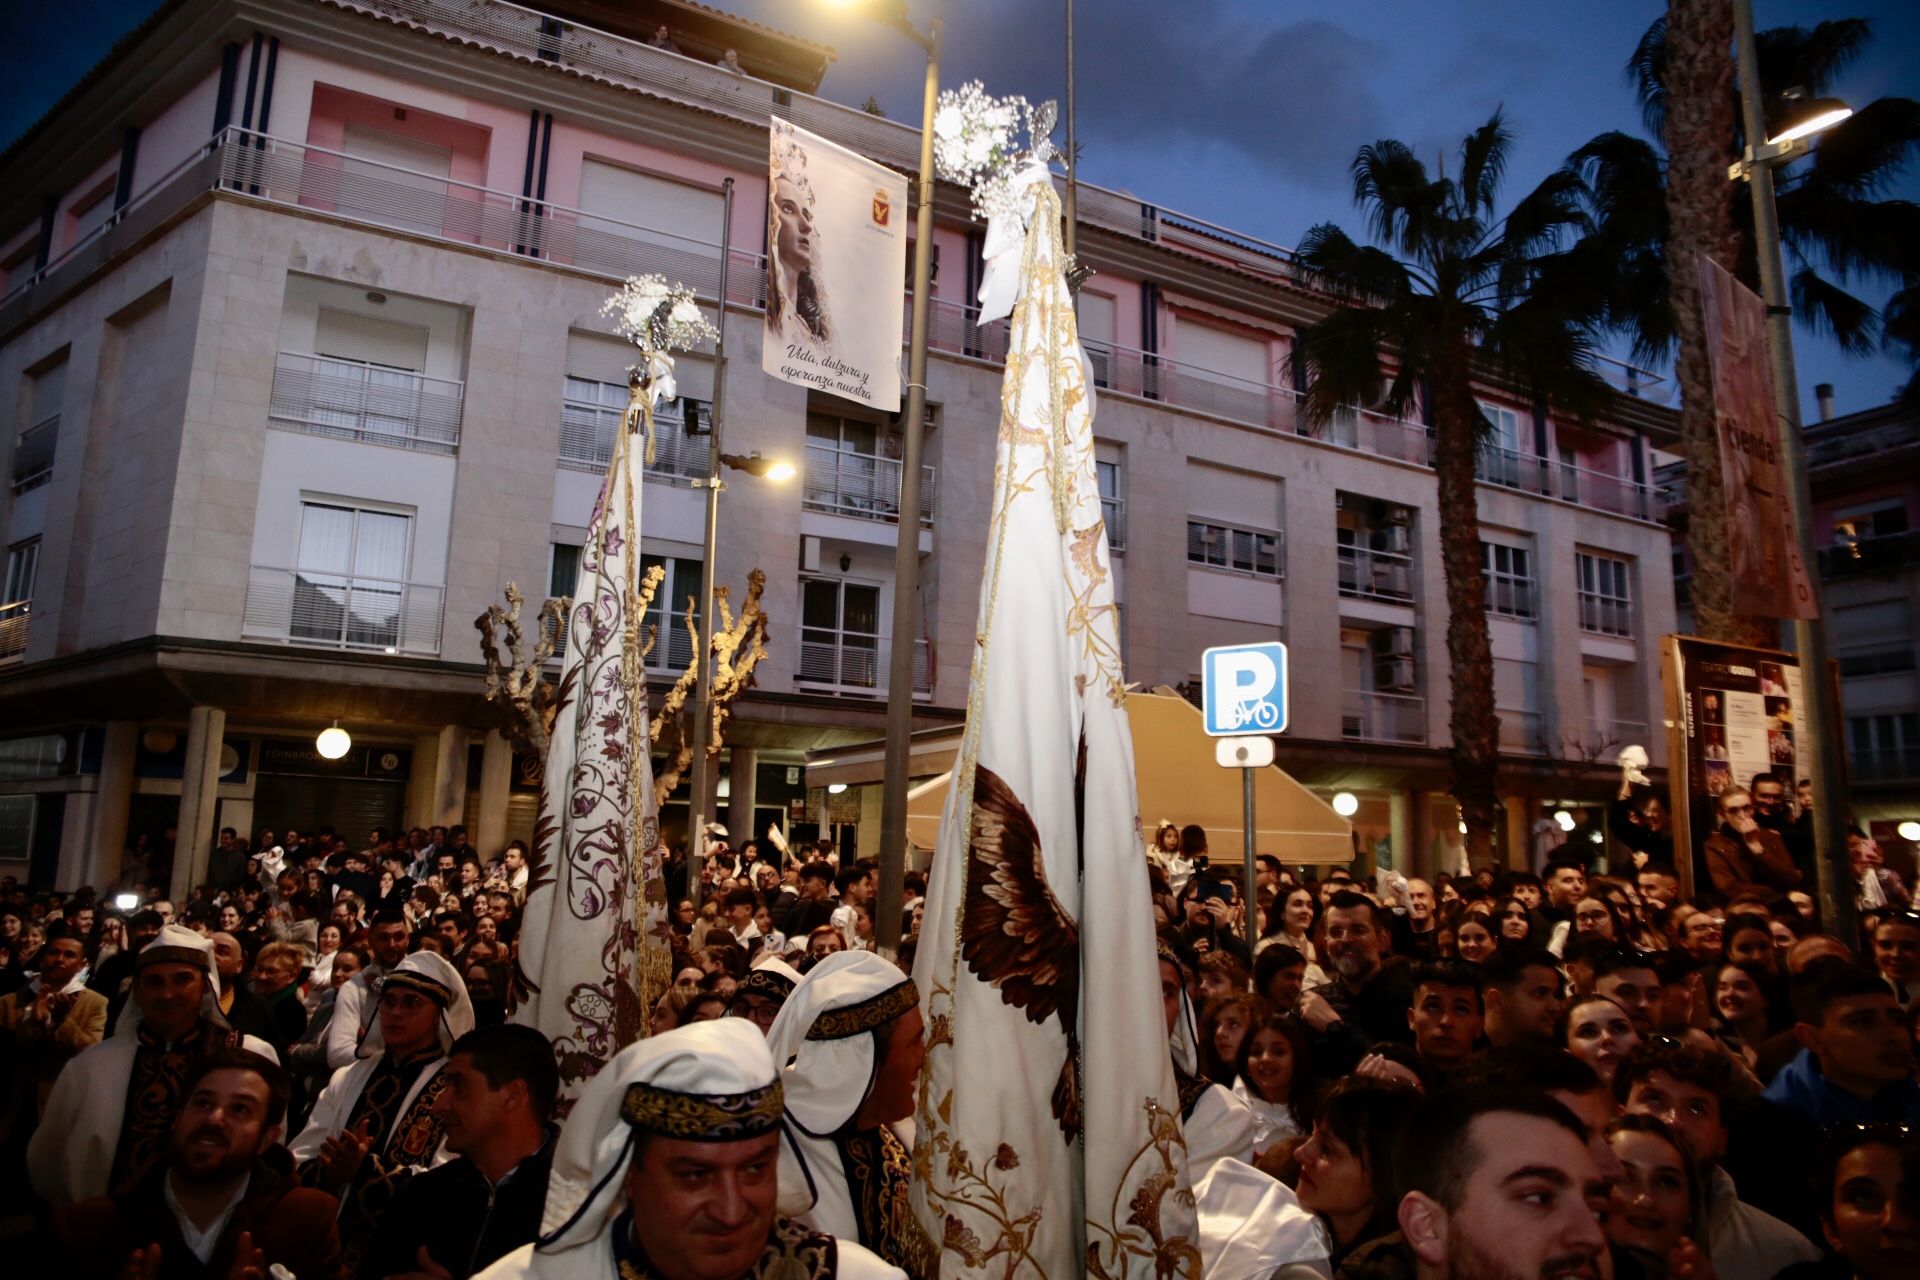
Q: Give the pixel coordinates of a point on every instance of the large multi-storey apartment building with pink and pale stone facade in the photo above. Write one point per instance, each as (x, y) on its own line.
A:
(304, 362)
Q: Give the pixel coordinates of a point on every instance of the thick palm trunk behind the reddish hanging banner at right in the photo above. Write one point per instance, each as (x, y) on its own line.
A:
(1700, 122)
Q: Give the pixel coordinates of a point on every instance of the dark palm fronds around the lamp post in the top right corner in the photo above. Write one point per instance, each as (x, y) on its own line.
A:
(1840, 229)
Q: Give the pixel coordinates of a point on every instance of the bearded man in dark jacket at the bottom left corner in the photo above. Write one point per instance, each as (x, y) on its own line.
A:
(220, 1204)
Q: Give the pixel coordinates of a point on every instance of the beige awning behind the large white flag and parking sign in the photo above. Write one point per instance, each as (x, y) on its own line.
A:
(1178, 780)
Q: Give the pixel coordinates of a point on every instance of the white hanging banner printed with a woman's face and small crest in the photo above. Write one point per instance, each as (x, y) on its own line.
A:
(836, 270)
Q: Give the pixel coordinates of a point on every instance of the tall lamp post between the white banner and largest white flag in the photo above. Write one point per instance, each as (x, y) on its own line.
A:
(907, 550)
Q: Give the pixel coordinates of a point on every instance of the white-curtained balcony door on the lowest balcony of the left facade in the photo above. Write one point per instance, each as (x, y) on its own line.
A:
(350, 584)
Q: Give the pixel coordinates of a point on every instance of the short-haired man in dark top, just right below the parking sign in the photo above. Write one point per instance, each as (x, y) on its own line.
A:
(1368, 997)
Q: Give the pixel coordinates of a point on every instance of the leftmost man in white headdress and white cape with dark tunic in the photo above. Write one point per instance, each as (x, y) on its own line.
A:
(112, 1112)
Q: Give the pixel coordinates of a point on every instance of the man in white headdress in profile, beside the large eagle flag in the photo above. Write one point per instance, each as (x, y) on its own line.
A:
(852, 1039)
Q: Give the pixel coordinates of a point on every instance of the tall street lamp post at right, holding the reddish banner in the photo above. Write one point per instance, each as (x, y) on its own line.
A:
(1810, 636)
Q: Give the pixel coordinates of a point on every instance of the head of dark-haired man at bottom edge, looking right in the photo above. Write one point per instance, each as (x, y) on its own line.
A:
(1500, 1187)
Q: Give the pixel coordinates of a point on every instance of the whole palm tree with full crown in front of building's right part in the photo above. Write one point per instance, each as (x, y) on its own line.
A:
(1454, 295)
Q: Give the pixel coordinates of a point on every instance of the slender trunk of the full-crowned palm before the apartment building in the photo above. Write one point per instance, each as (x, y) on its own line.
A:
(1476, 753)
